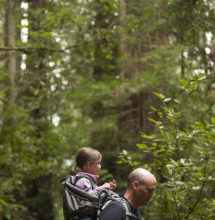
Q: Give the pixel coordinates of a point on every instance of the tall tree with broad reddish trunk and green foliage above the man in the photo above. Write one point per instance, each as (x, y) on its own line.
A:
(137, 34)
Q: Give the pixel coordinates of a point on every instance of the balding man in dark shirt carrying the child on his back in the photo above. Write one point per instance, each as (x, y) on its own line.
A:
(140, 188)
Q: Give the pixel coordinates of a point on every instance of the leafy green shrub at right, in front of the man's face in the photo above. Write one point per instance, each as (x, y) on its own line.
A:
(183, 161)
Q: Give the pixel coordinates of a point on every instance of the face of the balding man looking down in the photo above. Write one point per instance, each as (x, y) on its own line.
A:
(145, 191)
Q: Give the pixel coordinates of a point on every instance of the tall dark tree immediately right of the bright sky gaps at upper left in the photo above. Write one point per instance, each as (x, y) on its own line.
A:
(38, 191)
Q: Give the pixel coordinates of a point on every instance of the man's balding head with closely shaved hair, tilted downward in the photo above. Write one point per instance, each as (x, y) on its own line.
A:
(141, 185)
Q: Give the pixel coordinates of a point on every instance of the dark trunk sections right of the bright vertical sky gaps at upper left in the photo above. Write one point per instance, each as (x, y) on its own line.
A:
(39, 189)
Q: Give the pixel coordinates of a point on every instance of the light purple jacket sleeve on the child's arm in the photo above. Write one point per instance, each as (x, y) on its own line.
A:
(85, 185)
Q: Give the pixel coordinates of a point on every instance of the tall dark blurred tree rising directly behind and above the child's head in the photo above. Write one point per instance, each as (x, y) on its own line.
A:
(102, 110)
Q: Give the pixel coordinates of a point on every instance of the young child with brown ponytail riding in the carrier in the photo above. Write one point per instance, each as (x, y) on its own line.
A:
(88, 160)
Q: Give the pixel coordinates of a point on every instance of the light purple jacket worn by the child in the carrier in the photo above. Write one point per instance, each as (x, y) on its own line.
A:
(85, 185)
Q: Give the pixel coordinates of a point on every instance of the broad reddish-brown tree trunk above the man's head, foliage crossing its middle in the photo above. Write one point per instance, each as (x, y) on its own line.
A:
(133, 112)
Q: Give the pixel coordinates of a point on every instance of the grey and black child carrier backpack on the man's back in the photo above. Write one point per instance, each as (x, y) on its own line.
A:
(77, 203)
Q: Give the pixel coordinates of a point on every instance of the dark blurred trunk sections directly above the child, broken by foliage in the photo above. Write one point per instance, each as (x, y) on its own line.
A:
(102, 68)
